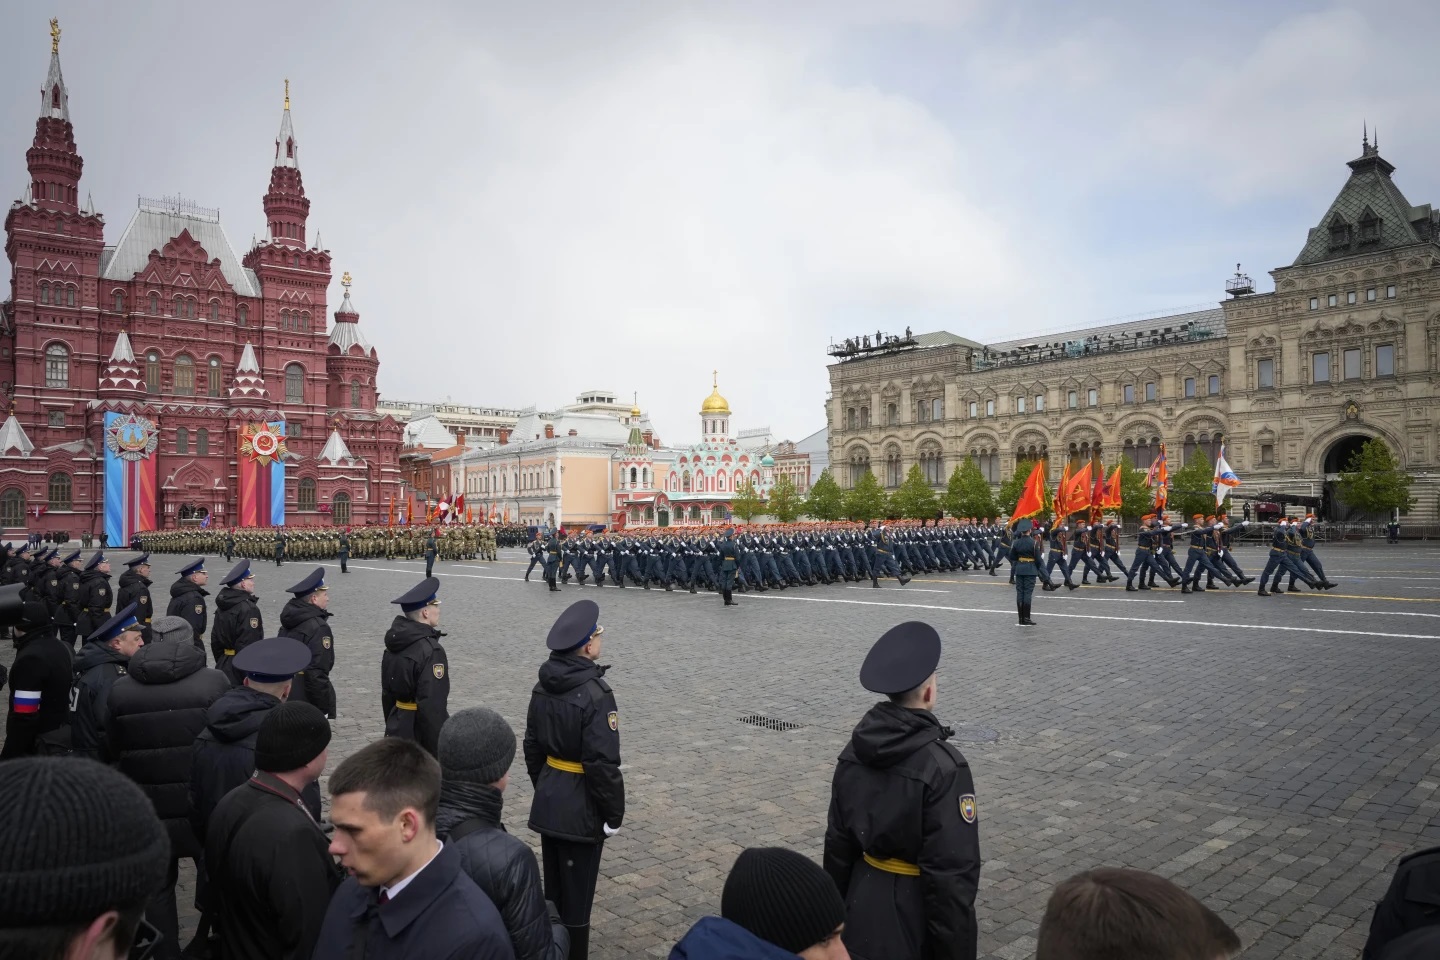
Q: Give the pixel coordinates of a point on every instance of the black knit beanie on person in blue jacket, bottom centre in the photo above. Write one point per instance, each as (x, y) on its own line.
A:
(783, 897)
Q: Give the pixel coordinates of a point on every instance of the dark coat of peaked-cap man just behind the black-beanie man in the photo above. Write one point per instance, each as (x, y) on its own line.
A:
(225, 753)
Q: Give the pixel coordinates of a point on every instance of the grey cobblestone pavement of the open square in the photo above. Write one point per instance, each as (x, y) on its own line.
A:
(1275, 756)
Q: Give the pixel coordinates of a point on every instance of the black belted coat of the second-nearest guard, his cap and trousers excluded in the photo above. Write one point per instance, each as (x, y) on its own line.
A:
(574, 720)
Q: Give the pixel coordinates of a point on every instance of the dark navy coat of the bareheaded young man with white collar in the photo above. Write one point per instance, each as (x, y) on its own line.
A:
(440, 916)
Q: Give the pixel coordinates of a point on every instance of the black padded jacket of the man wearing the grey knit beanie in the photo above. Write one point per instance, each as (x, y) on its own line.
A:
(502, 866)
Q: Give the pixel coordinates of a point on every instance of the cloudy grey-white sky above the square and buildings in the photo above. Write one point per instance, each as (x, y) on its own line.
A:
(536, 199)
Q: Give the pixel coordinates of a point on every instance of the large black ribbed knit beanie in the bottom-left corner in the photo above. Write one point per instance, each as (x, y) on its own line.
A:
(78, 840)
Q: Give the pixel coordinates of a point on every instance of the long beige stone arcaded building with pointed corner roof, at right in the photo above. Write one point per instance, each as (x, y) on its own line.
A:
(1344, 350)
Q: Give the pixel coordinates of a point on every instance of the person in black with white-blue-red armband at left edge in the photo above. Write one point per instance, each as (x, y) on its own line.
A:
(40, 683)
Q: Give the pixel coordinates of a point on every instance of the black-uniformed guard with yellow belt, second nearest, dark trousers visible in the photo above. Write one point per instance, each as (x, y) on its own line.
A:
(572, 730)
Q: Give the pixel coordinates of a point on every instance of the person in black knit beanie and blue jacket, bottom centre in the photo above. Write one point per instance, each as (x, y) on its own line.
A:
(777, 905)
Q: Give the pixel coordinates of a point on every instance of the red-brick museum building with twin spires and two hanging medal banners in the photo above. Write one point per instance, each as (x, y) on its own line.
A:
(163, 381)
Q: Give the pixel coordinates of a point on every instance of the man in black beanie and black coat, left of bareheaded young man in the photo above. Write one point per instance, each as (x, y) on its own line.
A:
(270, 870)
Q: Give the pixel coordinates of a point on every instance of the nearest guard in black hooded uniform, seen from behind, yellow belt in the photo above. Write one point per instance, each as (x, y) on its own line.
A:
(902, 843)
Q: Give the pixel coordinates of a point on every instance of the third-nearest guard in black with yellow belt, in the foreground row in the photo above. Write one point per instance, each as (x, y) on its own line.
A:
(414, 679)
